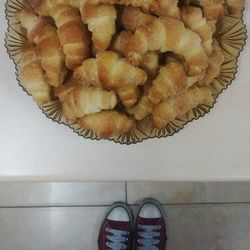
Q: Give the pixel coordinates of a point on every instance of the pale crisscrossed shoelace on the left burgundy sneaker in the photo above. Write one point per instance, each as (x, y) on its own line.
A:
(116, 239)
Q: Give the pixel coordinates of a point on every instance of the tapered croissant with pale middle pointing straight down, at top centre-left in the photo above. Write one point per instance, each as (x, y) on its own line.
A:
(101, 22)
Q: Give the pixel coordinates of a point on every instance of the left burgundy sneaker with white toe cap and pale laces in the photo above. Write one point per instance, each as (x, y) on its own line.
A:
(116, 230)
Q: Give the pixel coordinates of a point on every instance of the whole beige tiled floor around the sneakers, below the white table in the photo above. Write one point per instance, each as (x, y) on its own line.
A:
(60, 216)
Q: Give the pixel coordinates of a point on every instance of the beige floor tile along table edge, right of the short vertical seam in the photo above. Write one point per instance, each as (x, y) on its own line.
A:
(189, 192)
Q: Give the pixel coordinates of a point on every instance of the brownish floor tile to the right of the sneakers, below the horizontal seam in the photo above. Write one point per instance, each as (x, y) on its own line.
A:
(208, 227)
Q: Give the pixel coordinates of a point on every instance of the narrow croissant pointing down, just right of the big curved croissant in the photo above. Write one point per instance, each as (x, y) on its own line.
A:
(193, 19)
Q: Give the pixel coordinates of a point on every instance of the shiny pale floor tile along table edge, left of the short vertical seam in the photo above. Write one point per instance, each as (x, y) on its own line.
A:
(60, 193)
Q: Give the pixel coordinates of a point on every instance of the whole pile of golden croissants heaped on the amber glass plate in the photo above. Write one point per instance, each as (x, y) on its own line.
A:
(112, 63)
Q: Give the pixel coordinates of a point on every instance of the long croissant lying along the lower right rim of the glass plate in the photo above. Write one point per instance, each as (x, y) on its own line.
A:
(179, 105)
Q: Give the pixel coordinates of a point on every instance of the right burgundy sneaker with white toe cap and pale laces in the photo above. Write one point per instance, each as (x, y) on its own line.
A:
(150, 226)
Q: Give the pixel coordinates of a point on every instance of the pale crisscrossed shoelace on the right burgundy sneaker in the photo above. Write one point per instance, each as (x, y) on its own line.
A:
(147, 237)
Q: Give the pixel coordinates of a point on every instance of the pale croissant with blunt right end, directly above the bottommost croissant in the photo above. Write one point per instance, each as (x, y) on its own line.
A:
(83, 101)
